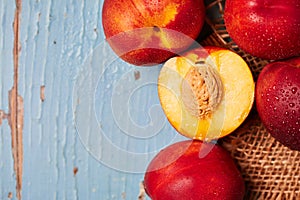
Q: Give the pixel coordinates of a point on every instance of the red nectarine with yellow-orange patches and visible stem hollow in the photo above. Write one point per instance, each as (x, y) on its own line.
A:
(152, 45)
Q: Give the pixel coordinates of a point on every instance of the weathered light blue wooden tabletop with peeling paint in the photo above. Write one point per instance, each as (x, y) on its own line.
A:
(76, 121)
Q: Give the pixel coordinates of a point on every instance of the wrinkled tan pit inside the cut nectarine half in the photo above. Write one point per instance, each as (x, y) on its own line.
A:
(202, 90)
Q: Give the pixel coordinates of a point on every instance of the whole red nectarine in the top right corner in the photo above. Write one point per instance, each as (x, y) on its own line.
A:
(269, 29)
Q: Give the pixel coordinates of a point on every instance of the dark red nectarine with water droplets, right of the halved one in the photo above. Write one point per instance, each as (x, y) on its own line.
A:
(278, 101)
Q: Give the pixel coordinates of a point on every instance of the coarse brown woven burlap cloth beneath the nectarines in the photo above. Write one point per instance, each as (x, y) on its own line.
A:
(270, 170)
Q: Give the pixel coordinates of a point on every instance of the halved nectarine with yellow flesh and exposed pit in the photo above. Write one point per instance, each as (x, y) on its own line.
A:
(206, 93)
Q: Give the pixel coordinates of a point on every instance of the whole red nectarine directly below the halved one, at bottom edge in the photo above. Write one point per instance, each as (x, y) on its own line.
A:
(192, 170)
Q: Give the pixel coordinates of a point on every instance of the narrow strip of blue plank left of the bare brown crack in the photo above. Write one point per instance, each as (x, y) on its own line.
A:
(7, 181)
